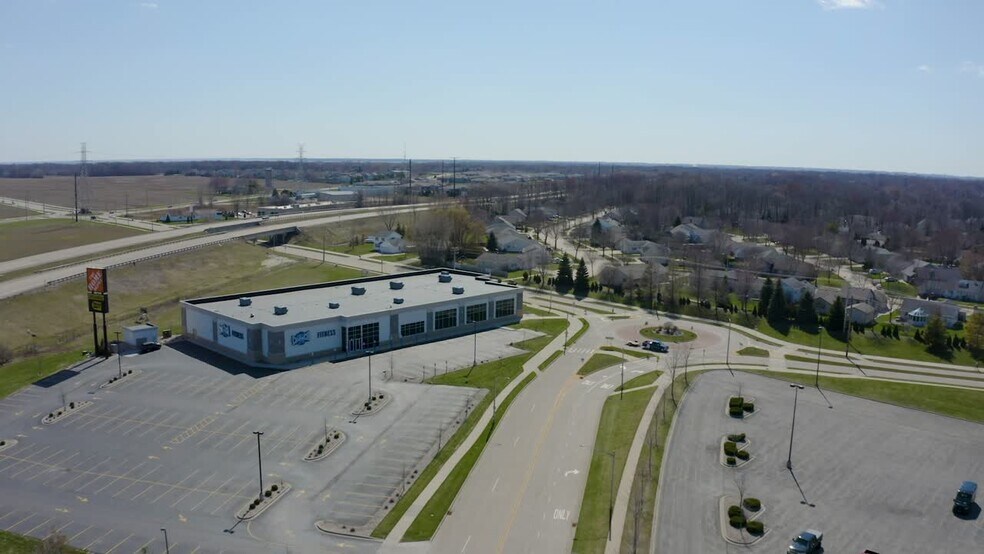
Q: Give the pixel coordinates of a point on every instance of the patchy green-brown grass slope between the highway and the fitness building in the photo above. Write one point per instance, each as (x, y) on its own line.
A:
(63, 327)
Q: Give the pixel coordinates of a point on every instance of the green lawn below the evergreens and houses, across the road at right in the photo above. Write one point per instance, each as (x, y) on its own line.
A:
(869, 343)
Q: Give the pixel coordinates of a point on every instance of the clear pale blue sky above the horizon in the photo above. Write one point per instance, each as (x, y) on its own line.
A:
(855, 84)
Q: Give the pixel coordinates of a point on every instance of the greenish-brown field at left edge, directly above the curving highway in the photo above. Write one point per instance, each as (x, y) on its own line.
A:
(26, 238)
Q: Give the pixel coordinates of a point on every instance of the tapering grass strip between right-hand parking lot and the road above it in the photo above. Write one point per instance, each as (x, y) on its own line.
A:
(949, 401)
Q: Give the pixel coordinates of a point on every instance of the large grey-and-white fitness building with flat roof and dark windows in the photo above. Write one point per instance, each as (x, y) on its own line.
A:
(342, 319)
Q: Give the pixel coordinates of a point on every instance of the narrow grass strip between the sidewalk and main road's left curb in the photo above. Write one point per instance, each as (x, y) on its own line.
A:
(426, 524)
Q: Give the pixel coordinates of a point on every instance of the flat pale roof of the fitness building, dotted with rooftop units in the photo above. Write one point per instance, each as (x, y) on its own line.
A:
(311, 302)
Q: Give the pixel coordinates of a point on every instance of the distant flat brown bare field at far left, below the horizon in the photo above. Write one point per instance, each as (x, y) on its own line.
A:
(108, 193)
